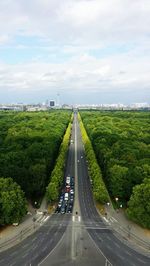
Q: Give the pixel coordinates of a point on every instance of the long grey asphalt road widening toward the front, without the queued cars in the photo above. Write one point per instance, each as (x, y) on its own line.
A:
(78, 239)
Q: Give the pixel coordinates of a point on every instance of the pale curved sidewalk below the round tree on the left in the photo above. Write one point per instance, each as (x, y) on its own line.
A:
(31, 222)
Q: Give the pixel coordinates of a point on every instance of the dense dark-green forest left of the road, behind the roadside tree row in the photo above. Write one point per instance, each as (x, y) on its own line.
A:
(29, 146)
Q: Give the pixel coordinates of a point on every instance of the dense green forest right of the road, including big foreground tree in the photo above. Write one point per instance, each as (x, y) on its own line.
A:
(121, 141)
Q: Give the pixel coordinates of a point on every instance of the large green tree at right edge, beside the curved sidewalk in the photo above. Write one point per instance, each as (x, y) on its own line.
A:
(139, 204)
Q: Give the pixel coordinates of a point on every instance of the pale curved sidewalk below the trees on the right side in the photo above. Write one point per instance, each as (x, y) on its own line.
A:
(138, 237)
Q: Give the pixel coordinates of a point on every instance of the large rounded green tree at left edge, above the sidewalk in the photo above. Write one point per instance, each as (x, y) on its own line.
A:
(13, 205)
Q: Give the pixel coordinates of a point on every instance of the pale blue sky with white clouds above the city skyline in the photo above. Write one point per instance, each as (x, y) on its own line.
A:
(87, 51)
